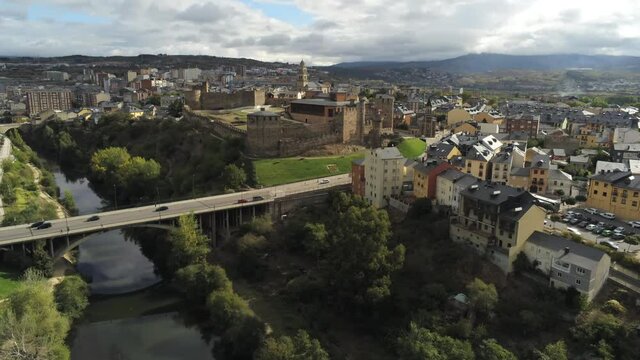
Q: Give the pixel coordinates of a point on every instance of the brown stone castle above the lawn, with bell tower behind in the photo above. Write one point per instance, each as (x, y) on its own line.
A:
(333, 118)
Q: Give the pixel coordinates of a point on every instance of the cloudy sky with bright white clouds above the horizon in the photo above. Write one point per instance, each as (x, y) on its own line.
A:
(319, 31)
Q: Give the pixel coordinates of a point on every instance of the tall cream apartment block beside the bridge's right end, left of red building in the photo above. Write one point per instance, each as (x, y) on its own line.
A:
(383, 170)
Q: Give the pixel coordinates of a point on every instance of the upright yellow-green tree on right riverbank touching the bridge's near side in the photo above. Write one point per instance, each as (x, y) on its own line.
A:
(188, 243)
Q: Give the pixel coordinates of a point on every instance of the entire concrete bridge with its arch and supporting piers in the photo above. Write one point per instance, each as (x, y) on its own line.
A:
(216, 214)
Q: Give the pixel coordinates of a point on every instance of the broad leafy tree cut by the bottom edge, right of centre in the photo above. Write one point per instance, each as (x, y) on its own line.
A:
(420, 344)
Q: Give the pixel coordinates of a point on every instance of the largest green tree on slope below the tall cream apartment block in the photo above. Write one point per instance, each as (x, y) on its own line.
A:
(360, 253)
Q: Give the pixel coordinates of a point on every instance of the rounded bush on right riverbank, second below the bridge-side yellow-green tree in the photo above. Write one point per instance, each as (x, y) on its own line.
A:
(227, 309)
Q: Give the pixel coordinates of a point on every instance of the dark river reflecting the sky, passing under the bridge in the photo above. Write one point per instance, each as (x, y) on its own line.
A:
(131, 313)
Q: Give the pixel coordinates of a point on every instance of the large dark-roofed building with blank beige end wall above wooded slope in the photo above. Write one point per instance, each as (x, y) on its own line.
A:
(496, 220)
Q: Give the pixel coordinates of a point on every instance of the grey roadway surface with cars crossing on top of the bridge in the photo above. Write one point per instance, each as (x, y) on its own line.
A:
(119, 218)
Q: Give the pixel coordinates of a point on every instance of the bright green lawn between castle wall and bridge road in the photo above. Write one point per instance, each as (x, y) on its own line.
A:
(287, 170)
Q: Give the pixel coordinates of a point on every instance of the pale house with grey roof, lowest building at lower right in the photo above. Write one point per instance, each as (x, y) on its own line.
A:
(568, 263)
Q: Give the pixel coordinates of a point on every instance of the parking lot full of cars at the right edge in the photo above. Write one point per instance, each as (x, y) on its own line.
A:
(580, 221)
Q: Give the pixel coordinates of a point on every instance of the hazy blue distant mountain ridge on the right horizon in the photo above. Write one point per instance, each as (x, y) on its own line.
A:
(478, 63)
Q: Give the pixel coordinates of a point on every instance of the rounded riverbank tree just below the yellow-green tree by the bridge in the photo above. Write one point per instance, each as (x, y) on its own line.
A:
(199, 280)
